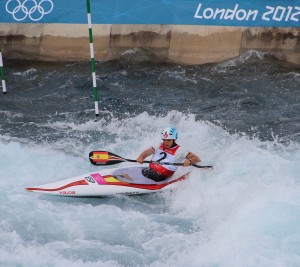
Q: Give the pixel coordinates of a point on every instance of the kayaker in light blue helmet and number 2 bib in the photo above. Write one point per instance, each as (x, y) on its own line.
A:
(167, 151)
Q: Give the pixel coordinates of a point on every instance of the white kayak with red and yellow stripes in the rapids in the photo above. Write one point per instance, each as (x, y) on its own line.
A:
(109, 182)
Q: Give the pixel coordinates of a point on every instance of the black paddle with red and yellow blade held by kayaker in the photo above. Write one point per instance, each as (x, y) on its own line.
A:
(108, 158)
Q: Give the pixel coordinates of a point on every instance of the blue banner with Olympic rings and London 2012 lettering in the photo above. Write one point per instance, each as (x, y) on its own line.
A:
(250, 13)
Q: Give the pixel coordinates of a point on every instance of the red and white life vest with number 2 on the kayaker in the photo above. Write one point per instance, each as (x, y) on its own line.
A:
(163, 154)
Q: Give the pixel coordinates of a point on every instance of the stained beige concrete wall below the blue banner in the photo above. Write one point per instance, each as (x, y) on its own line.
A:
(179, 44)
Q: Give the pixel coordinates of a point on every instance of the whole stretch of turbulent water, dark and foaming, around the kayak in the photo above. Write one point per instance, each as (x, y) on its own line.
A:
(241, 116)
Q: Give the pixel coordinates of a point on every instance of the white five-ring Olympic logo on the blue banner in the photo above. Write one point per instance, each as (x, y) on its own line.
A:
(29, 8)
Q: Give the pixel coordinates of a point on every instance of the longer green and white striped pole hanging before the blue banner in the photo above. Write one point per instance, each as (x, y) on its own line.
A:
(92, 57)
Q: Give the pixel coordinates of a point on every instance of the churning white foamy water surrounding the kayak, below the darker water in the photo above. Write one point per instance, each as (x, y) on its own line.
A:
(244, 212)
